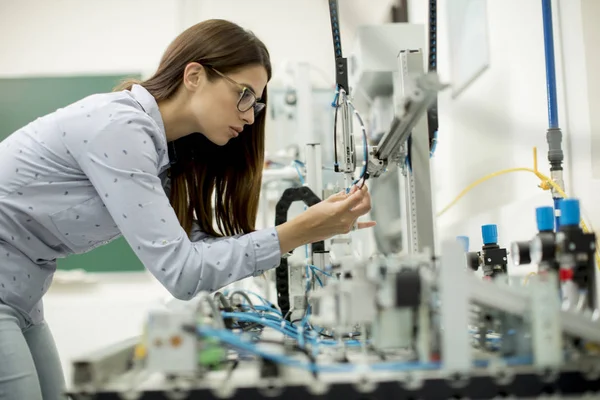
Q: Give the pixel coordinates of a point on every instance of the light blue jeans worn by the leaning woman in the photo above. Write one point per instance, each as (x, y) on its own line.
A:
(30, 368)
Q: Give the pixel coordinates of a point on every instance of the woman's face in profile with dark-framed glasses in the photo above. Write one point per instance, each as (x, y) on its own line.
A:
(222, 107)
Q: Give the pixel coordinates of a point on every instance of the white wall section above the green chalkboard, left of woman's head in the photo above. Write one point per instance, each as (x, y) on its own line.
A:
(77, 37)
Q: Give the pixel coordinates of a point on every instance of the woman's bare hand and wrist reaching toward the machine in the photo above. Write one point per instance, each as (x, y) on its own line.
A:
(332, 216)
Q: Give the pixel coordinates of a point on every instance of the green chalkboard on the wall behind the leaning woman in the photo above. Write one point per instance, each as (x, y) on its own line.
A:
(24, 99)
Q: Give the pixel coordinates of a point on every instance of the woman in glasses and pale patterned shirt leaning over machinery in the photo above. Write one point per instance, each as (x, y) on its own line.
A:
(130, 163)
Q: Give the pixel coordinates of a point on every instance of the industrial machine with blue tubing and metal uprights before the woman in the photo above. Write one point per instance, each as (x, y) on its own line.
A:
(424, 322)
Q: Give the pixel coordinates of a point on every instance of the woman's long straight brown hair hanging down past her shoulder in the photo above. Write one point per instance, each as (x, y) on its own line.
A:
(232, 173)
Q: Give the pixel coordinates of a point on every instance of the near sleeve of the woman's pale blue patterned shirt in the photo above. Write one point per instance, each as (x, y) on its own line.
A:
(122, 162)
